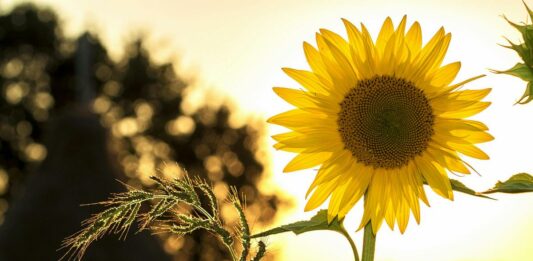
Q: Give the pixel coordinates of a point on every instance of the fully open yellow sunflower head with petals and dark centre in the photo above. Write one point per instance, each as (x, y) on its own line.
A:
(380, 119)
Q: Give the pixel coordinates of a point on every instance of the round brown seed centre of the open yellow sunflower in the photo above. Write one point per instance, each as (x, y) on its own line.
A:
(385, 121)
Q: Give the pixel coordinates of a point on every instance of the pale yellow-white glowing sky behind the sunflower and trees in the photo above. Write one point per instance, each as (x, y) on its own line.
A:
(237, 47)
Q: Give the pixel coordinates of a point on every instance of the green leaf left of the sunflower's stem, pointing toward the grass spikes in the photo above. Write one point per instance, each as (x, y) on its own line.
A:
(318, 222)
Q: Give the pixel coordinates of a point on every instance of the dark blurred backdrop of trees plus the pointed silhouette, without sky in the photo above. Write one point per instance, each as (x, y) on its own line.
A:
(74, 121)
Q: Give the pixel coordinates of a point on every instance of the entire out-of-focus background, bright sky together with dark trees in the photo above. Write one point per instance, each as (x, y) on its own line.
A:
(98, 91)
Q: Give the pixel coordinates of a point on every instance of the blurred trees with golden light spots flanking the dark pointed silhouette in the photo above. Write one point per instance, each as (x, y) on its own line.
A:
(139, 101)
